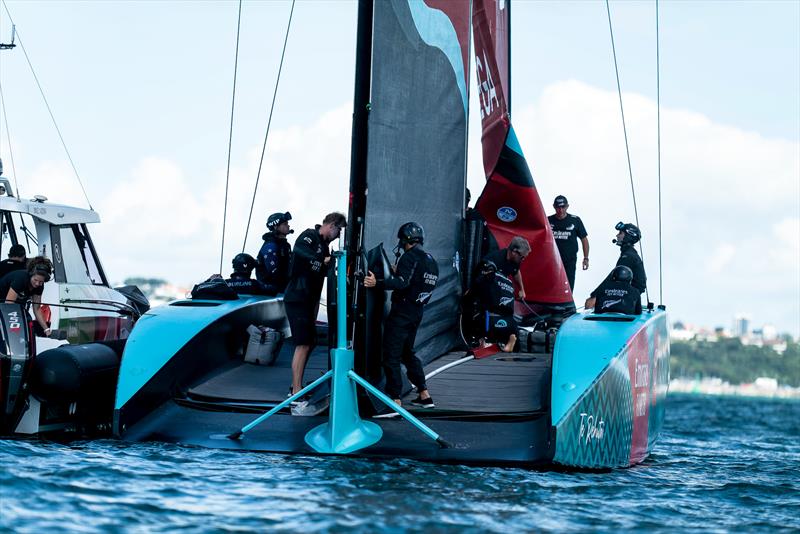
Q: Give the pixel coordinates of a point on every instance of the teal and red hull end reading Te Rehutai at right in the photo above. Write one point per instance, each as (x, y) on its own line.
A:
(610, 380)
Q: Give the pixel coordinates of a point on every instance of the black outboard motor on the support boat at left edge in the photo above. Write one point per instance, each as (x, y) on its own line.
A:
(16, 361)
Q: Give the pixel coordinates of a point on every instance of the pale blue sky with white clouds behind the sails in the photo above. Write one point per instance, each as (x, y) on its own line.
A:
(142, 95)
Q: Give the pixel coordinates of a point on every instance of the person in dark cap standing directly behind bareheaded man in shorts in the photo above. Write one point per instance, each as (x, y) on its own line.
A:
(273, 258)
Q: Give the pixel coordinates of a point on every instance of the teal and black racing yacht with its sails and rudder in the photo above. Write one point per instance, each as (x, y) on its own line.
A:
(593, 399)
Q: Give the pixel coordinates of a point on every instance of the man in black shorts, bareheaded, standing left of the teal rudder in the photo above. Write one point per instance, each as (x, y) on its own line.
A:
(301, 299)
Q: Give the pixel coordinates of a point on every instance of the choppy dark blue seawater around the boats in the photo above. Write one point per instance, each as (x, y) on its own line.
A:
(721, 464)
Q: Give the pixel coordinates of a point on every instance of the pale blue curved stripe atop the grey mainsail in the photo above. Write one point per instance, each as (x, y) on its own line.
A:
(436, 29)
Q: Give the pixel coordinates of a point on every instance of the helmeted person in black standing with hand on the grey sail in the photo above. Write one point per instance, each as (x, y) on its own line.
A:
(413, 281)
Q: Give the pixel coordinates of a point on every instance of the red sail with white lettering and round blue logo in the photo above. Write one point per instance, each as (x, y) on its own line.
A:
(509, 202)
